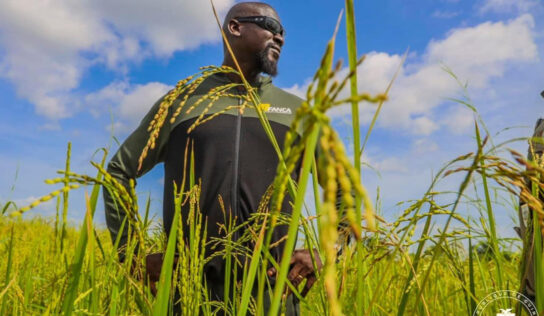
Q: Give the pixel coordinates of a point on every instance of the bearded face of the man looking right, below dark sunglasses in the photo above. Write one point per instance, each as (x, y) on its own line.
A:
(262, 43)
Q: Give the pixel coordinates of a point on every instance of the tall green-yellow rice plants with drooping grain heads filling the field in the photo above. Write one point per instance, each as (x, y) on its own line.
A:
(423, 263)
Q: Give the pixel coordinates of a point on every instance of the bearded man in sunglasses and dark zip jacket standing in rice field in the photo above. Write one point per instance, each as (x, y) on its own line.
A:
(234, 158)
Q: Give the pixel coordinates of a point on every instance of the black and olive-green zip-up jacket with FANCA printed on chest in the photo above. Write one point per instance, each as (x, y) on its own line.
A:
(233, 158)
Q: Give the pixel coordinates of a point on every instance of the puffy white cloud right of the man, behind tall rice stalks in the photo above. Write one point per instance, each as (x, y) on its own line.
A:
(475, 54)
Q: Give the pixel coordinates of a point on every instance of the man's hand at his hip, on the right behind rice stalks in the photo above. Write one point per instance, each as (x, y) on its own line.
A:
(301, 268)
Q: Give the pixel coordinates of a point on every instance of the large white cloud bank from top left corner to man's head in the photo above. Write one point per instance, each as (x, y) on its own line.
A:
(48, 45)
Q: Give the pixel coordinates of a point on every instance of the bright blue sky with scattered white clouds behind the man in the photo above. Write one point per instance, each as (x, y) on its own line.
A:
(69, 71)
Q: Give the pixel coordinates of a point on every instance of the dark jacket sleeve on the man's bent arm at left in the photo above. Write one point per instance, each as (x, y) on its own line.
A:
(123, 167)
